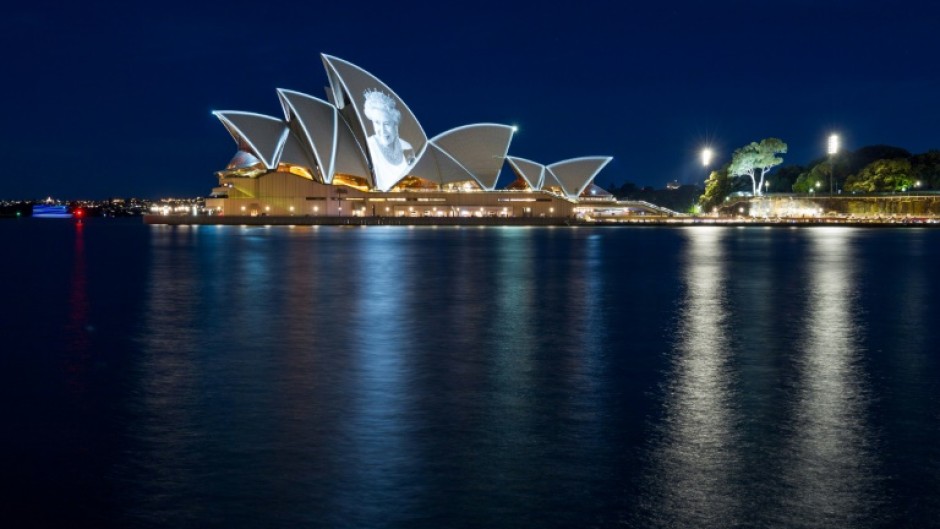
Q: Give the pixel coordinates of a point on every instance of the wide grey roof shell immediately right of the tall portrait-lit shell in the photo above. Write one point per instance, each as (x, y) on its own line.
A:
(479, 148)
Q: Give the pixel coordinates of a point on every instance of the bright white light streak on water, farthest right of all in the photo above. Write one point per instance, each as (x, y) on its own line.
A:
(829, 469)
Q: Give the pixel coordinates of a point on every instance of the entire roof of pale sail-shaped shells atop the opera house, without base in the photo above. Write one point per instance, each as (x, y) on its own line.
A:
(332, 138)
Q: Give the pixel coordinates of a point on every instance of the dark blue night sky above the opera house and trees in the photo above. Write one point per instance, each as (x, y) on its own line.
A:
(115, 101)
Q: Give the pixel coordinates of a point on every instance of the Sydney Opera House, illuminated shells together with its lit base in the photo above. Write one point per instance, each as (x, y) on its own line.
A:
(362, 153)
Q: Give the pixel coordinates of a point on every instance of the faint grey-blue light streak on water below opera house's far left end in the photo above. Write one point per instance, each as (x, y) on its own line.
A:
(167, 404)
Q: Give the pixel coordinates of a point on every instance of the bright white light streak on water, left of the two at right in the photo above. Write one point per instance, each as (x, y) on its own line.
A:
(694, 458)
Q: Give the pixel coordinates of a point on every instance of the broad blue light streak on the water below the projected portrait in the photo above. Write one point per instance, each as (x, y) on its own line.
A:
(380, 456)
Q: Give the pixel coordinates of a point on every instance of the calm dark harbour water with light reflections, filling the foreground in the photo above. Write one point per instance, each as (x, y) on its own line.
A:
(469, 377)
